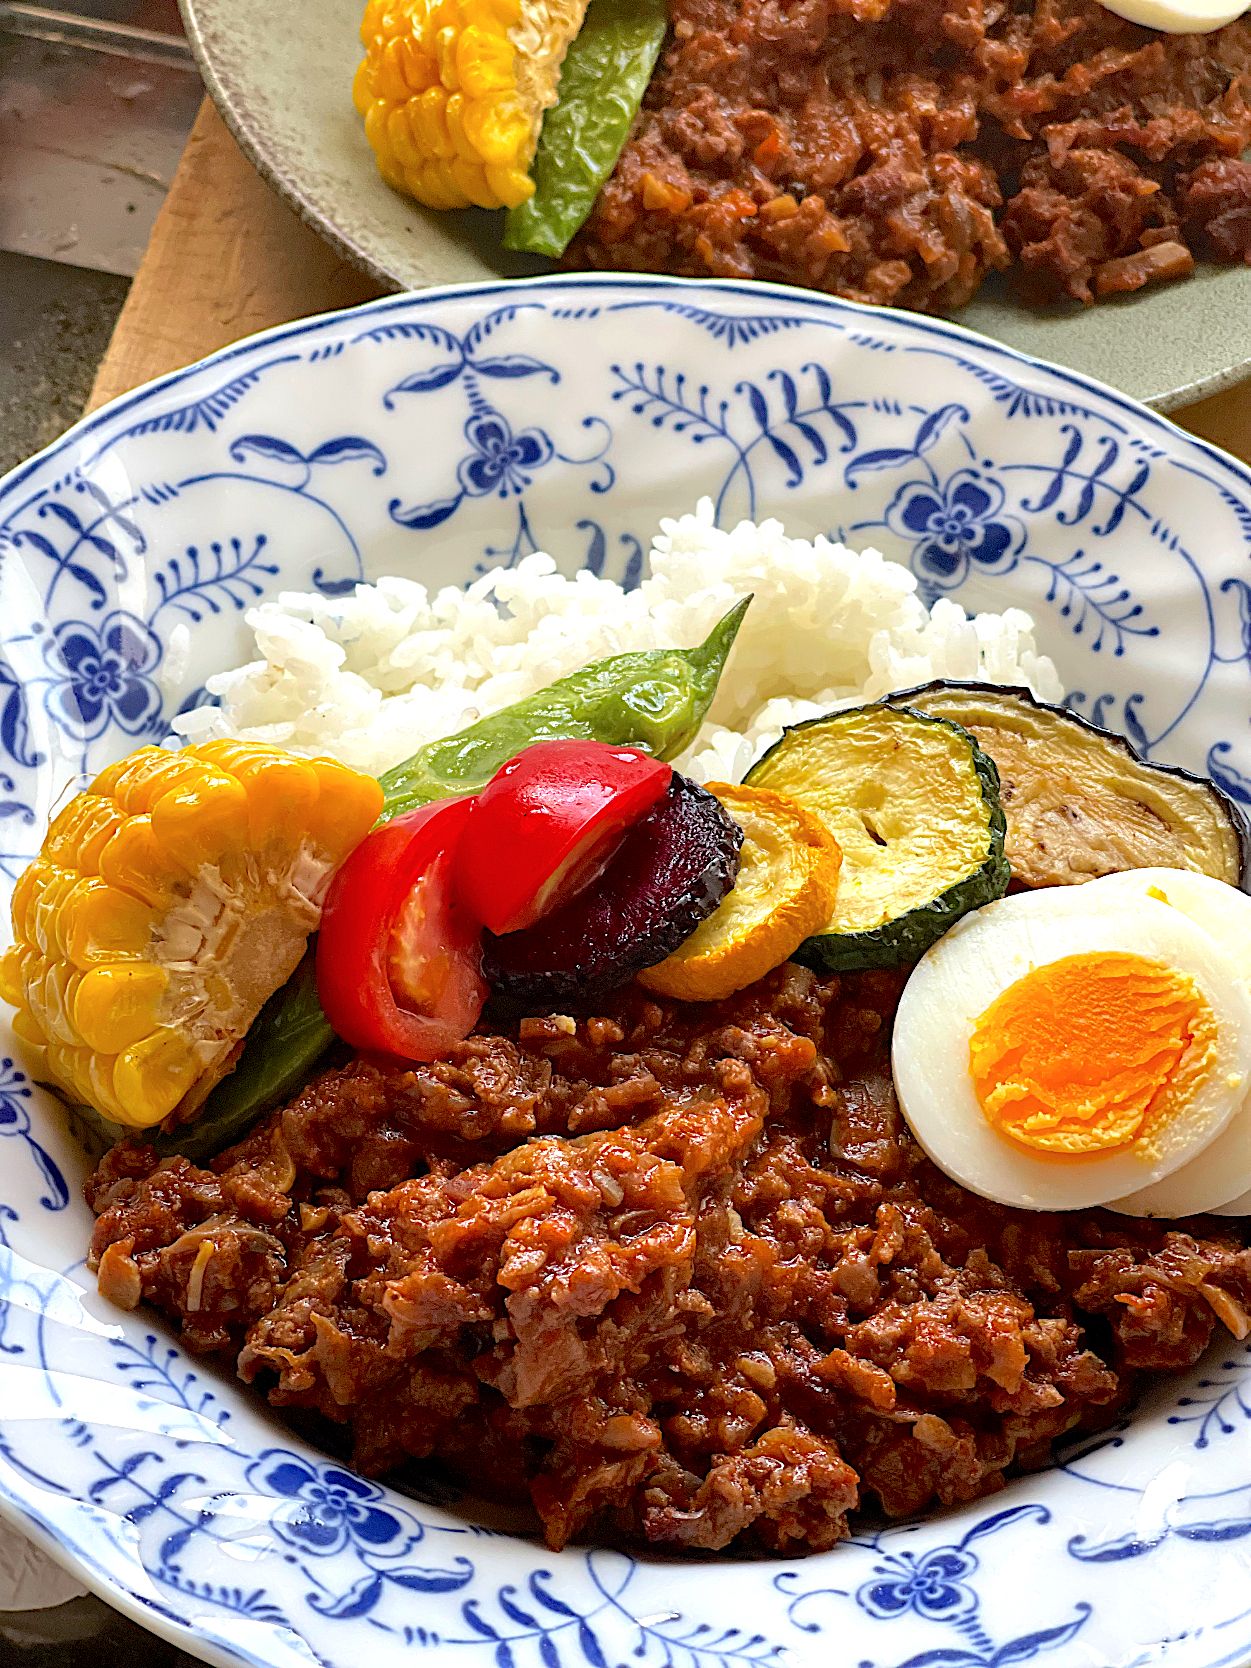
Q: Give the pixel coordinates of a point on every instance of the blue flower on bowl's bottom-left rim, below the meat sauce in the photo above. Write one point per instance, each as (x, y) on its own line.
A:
(328, 1509)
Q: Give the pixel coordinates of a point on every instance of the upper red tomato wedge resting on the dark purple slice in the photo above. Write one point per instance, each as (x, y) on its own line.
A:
(546, 826)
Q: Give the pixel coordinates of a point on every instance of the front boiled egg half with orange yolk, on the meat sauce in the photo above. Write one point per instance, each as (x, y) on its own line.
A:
(1063, 1048)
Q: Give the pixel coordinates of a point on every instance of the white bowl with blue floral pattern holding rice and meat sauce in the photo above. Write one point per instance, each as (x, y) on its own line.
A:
(430, 436)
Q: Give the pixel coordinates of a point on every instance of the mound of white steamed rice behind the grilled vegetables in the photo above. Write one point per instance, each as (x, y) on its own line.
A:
(374, 676)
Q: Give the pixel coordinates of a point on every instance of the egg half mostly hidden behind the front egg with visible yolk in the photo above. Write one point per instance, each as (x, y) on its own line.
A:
(1220, 1178)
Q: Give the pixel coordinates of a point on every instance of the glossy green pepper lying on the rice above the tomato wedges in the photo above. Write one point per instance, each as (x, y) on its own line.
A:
(655, 701)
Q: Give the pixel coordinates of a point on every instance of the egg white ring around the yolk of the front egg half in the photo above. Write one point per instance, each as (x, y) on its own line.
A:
(987, 953)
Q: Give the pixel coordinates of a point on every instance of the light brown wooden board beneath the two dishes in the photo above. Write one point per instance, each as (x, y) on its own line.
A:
(228, 258)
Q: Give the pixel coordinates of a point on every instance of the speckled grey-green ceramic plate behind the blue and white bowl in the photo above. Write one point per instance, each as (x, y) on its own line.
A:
(281, 74)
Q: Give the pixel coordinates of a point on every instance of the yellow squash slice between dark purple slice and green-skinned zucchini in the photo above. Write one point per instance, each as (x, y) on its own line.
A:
(786, 890)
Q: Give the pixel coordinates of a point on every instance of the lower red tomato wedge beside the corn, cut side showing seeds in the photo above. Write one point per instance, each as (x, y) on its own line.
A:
(399, 958)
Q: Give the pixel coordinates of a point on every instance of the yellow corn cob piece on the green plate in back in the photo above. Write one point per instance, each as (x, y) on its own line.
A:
(455, 94)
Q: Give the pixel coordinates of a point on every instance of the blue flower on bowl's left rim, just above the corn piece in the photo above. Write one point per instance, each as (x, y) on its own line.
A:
(106, 676)
